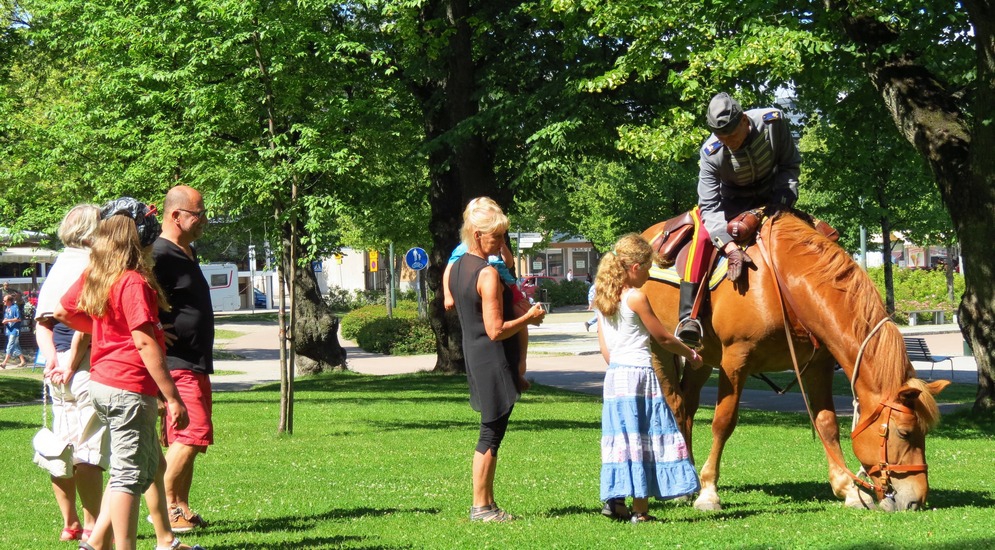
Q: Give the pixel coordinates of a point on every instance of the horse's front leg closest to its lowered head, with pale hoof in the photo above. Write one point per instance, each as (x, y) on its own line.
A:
(819, 385)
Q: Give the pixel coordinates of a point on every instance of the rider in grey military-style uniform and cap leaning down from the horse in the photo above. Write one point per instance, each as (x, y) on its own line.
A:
(750, 161)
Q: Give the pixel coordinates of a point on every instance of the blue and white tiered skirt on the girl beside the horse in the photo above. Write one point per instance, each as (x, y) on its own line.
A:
(643, 453)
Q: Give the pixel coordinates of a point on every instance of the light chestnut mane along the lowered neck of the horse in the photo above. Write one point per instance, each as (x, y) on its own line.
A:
(884, 358)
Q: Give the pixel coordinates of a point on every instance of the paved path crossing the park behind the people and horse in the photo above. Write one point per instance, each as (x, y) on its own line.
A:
(562, 354)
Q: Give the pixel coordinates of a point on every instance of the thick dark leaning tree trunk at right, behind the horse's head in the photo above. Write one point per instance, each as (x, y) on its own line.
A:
(929, 117)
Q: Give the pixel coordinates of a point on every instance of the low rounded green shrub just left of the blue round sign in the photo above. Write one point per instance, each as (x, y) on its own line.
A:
(402, 334)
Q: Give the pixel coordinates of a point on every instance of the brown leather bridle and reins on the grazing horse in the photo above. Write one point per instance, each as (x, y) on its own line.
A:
(883, 488)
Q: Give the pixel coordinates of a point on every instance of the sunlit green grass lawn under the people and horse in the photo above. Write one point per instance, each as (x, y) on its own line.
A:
(384, 462)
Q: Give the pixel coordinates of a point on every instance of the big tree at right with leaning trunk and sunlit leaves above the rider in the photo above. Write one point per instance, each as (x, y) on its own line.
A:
(930, 64)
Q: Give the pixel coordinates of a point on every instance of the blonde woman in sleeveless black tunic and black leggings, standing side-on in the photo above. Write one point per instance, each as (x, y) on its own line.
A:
(483, 303)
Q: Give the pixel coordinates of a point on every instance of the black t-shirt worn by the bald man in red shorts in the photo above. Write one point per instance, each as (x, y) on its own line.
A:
(192, 316)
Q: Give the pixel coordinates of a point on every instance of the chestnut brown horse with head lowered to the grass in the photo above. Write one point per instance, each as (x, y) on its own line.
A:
(836, 301)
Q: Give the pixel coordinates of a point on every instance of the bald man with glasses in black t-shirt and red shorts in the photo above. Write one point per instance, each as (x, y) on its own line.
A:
(189, 344)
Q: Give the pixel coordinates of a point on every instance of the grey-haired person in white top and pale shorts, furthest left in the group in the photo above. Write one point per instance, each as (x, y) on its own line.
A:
(67, 373)
